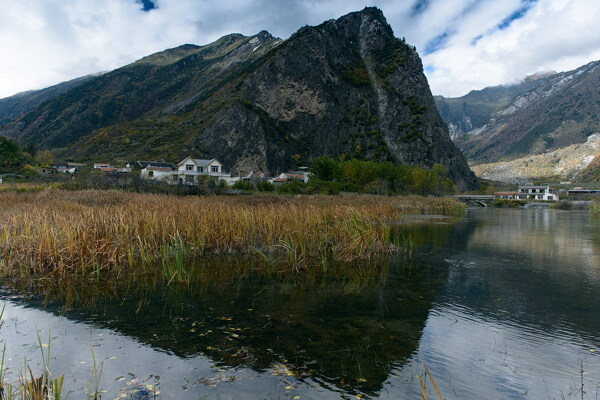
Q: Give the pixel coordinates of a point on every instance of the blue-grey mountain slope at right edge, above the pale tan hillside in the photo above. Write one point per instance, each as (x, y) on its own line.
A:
(561, 111)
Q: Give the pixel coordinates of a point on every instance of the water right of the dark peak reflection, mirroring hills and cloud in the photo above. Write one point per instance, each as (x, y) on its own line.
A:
(518, 317)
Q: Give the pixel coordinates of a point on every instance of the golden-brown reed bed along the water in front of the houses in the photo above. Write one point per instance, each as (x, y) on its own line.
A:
(87, 233)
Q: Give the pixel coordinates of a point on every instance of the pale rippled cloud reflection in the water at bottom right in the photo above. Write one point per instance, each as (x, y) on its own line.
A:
(470, 355)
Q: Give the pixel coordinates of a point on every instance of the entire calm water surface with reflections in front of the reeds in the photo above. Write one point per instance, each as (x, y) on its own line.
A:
(501, 304)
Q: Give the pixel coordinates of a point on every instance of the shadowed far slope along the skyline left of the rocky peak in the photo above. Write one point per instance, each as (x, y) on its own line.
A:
(155, 85)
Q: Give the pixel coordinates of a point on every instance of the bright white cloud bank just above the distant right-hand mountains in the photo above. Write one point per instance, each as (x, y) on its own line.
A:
(554, 35)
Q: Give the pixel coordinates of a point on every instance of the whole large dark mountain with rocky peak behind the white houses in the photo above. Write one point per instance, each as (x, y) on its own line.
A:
(347, 87)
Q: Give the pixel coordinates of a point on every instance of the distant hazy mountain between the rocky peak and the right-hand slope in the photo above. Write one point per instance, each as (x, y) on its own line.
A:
(476, 108)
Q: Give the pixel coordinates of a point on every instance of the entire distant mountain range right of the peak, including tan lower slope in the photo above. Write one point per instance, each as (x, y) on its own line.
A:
(549, 115)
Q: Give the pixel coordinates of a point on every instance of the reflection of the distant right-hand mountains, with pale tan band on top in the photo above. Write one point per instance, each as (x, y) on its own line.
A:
(536, 268)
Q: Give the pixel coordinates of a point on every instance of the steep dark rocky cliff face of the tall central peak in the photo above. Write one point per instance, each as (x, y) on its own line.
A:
(347, 86)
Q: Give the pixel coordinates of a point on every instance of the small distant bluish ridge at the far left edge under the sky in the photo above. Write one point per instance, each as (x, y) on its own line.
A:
(16, 106)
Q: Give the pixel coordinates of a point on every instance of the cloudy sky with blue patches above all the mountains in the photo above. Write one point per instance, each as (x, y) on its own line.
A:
(464, 44)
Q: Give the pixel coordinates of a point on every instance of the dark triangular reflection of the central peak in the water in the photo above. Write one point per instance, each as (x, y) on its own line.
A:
(342, 332)
